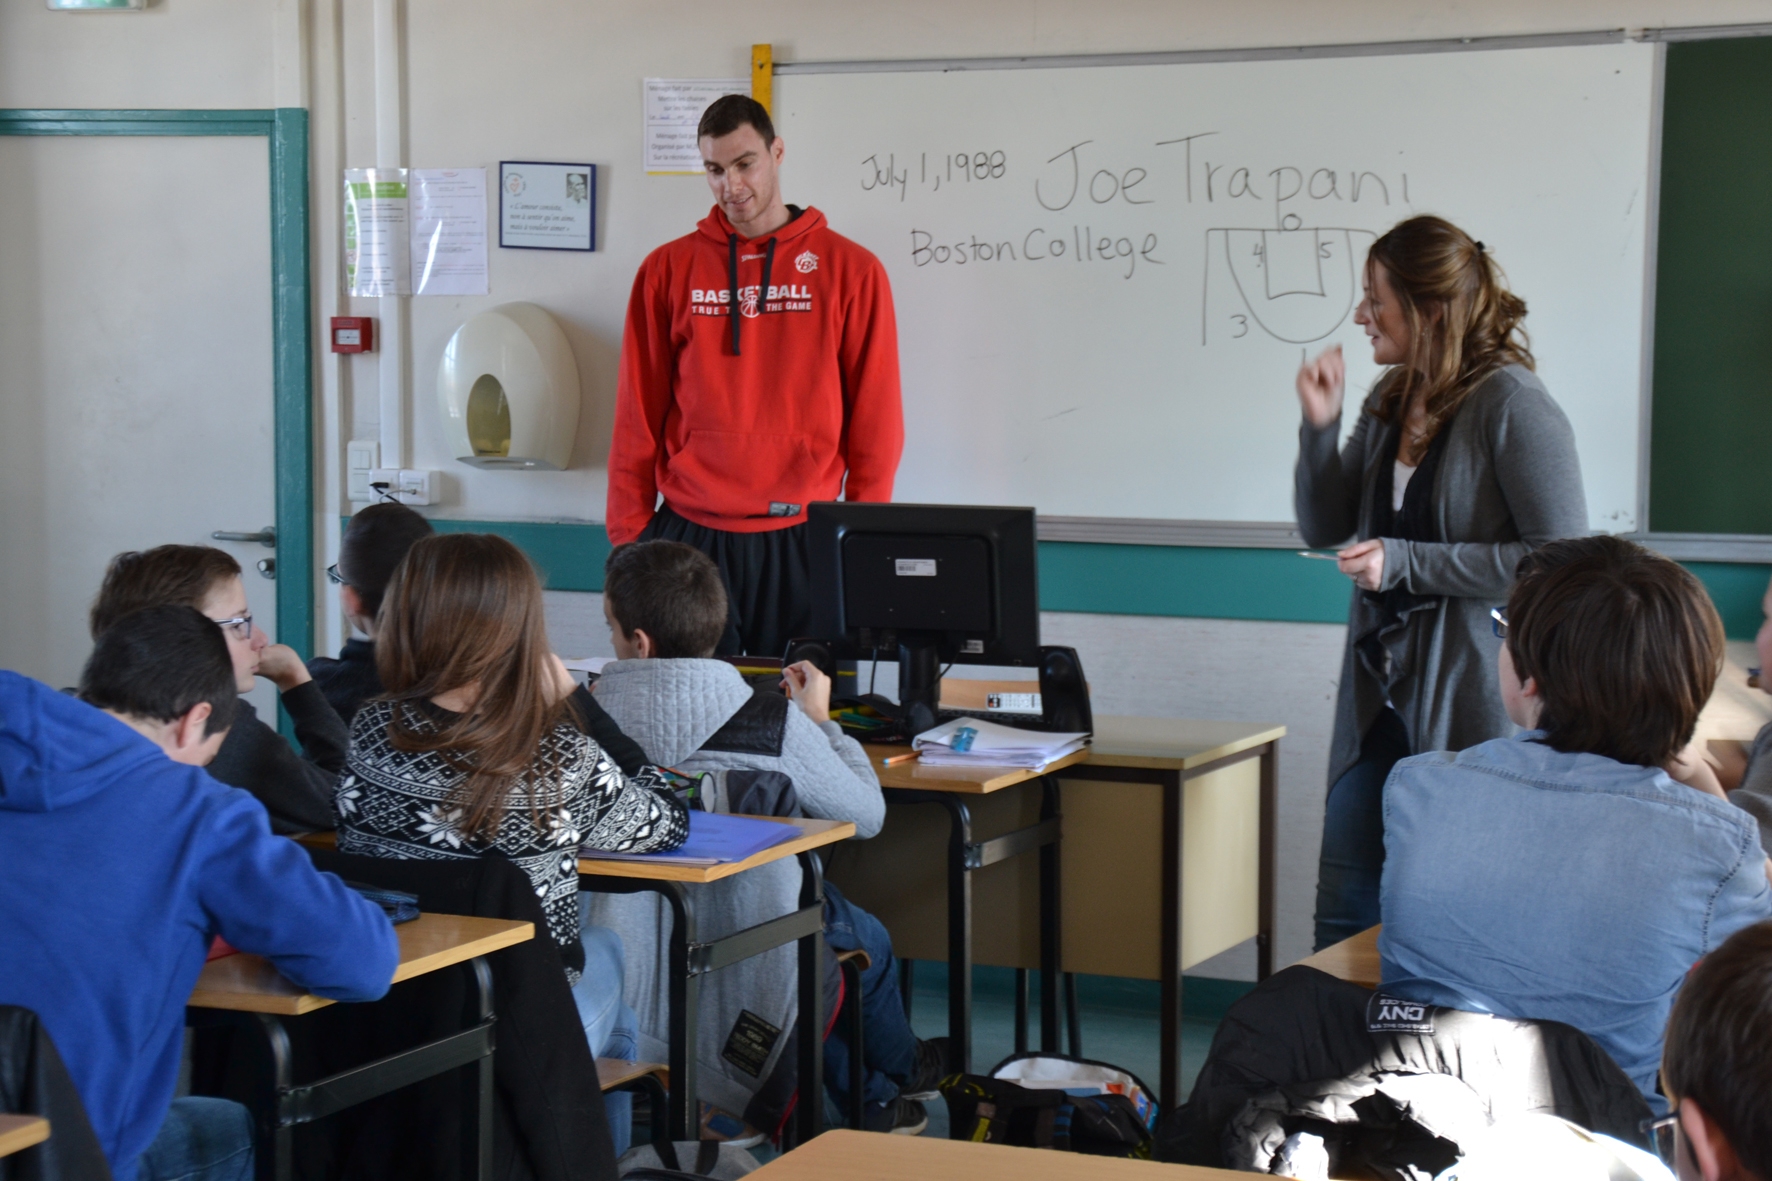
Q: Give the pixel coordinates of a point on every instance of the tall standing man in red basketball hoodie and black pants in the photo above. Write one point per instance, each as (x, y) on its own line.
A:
(759, 373)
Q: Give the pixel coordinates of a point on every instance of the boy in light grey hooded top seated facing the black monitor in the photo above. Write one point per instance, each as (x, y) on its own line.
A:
(667, 609)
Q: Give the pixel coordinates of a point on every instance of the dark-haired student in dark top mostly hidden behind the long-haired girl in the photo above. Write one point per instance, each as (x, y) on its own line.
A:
(375, 544)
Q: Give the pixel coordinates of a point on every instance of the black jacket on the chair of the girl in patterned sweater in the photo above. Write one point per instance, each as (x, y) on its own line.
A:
(548, 1120)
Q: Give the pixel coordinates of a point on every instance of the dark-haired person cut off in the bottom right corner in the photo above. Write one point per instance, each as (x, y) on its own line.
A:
(1718, 1065)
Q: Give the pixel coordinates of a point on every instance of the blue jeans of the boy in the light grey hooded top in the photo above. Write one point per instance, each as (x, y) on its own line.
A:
(890, 1047)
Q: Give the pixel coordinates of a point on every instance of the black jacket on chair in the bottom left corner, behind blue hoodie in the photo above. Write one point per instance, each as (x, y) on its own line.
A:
(35, 1083)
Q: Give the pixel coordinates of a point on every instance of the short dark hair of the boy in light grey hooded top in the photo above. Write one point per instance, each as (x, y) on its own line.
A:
(671, 591)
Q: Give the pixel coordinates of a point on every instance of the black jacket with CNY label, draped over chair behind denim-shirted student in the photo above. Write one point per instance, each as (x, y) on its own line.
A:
(1387, 1084)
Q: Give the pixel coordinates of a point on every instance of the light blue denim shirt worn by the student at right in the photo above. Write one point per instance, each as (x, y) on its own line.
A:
(1566, 888)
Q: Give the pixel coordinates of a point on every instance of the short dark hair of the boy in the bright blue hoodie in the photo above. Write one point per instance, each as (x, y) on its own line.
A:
(160, 664)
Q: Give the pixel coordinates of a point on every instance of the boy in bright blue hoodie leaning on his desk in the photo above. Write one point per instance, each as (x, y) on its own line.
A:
(121, 861)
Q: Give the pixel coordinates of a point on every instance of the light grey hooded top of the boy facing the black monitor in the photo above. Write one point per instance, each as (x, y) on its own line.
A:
(671, 708)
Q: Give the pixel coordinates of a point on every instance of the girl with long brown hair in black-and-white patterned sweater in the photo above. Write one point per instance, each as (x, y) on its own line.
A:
(481, 746)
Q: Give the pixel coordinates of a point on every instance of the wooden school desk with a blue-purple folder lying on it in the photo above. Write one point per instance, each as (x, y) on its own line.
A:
(692, 958)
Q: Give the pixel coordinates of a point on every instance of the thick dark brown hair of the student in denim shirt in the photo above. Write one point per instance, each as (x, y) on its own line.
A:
(1626, 648)
